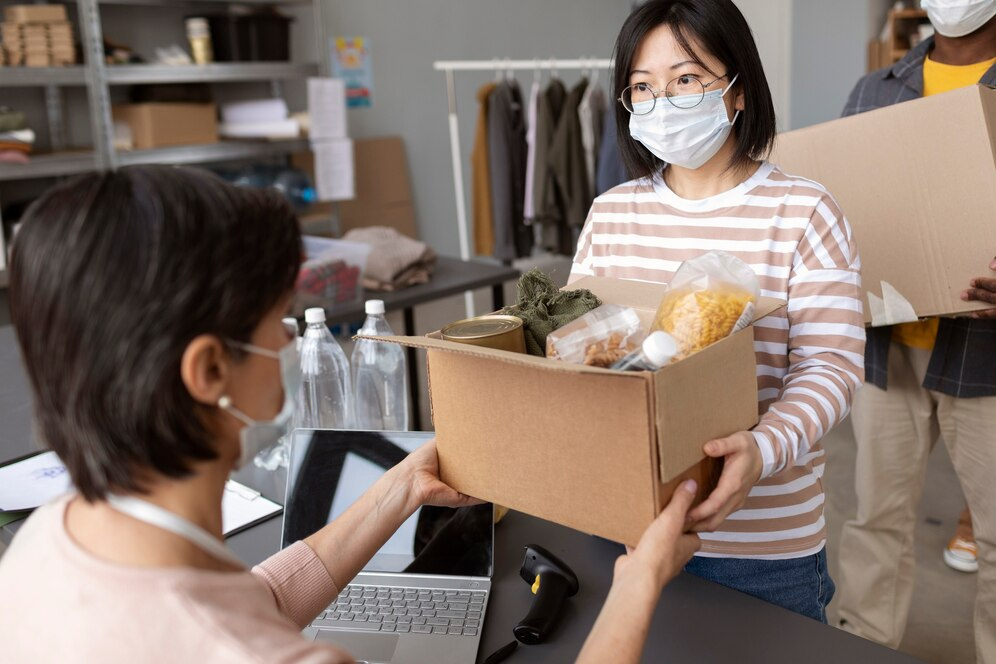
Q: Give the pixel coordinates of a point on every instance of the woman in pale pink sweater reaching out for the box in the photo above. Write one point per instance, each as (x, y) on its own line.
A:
(148, 306)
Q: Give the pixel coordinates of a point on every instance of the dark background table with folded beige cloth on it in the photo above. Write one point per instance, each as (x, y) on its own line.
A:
(452, 276)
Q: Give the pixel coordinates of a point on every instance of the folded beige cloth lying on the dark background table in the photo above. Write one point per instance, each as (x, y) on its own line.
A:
(396, 261)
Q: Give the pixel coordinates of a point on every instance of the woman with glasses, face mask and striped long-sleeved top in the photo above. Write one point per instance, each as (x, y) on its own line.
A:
(694, 124)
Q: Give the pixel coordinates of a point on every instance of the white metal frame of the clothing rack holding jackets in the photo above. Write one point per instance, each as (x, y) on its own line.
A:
(497, 65)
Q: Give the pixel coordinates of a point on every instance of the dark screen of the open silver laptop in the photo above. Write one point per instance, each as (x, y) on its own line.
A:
(330, 469)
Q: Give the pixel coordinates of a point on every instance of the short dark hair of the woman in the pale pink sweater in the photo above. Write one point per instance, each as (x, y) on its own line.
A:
(111, 276)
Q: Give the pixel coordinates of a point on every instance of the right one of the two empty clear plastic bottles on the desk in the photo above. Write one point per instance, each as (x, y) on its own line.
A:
(380, 376)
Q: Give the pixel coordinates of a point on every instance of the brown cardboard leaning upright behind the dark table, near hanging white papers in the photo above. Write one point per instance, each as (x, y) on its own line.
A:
(383, 189)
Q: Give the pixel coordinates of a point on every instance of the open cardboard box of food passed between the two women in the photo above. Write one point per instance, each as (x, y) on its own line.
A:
(597, 450)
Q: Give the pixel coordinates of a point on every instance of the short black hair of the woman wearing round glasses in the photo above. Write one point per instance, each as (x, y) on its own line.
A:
(723, 31)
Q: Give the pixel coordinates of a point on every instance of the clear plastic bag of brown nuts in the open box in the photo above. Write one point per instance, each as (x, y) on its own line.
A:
(598, 338)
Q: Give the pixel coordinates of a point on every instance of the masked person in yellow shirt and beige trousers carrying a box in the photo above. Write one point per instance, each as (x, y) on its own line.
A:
(937, 376)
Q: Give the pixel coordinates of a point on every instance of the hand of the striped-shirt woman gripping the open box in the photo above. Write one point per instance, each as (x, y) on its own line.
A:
(741, 471)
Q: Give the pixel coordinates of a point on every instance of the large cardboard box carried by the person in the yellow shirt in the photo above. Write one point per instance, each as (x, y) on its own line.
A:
(917, 181)
